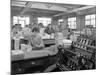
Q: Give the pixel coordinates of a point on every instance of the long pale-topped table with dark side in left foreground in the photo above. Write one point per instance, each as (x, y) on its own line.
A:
(33, 61)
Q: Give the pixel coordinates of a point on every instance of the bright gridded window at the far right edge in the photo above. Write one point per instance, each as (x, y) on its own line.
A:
(90, 20)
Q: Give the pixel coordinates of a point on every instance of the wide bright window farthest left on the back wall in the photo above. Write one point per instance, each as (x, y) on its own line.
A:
(21, 20)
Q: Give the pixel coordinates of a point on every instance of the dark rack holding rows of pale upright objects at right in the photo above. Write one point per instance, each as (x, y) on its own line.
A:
(86, 44)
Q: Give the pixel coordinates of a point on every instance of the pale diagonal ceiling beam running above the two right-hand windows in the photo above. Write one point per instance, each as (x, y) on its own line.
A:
(75, 10)
